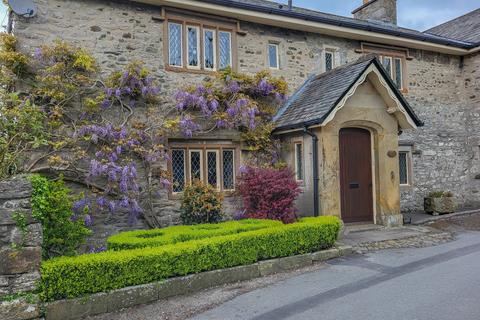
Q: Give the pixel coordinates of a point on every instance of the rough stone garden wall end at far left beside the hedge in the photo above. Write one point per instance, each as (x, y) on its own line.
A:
(20, 252)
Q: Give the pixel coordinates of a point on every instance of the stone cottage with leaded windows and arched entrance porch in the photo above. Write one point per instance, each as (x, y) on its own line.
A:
(368, 136)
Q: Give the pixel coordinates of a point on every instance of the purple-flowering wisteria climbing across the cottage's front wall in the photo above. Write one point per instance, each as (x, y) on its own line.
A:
(60, 114)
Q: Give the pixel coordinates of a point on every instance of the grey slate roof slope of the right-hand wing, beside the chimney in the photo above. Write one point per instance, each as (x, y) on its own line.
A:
(464, 28)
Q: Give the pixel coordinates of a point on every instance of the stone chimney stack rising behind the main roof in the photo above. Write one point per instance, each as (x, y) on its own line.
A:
(377, 10)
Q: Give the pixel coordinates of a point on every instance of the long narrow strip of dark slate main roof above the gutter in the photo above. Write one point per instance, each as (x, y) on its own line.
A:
(276, 8)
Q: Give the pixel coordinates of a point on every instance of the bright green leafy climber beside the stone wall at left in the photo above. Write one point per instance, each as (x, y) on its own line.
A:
(63, 232)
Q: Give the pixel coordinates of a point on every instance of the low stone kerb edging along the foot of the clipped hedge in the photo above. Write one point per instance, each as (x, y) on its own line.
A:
(79, 308)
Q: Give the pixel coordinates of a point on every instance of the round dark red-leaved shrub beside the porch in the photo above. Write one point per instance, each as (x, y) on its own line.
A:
(268, 193)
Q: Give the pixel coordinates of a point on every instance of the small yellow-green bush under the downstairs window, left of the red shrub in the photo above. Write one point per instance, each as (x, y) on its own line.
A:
(201, 204)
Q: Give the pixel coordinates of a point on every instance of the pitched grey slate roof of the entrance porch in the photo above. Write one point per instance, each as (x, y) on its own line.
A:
(317, 97)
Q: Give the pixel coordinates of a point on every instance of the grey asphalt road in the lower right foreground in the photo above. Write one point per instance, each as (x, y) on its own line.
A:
(438, 283)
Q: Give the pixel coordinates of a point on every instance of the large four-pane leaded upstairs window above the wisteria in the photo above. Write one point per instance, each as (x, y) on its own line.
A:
(193, 45)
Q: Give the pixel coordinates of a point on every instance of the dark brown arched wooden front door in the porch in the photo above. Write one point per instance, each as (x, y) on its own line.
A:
(356, 175)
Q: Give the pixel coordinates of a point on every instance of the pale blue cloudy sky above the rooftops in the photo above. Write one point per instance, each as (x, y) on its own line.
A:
(414, 14)
